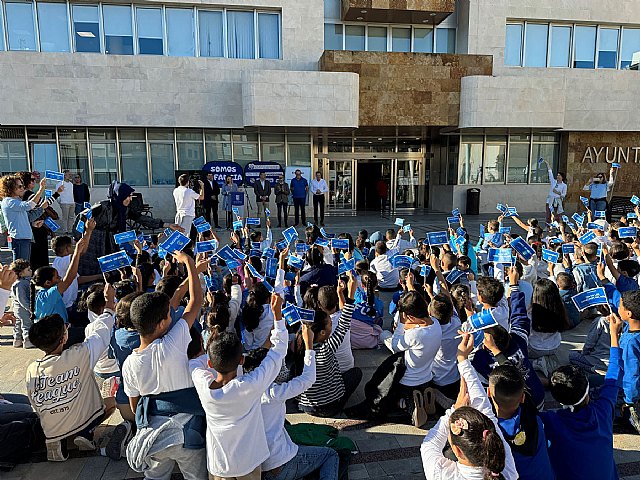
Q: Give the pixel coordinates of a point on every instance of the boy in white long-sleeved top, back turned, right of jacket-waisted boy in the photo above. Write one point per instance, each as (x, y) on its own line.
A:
(236, 439)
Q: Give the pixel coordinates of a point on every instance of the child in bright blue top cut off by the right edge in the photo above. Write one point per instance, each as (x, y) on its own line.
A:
(629, 311)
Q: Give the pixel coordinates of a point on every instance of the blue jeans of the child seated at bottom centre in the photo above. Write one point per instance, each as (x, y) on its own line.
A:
(306, 461)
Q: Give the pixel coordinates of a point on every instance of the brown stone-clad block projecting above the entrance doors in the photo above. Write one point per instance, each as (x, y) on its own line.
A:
(407, 89)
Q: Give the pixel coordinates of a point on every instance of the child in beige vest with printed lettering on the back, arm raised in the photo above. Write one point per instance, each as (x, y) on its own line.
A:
(61, 386)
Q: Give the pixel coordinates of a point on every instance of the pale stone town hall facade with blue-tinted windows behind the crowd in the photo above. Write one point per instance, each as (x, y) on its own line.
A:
(432, 97)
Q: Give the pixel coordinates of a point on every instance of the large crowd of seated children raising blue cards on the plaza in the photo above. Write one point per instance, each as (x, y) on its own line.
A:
(204, 348)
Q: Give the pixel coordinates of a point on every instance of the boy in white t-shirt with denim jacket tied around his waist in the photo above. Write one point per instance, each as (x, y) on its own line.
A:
(160, 365)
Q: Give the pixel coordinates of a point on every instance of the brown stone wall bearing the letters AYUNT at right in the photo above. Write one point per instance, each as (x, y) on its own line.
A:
(589, 153)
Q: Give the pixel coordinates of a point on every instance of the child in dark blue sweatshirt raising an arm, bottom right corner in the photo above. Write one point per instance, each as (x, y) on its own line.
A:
(583, 425)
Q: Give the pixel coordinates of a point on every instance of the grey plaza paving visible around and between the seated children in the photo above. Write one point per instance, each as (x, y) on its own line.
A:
(385, 451)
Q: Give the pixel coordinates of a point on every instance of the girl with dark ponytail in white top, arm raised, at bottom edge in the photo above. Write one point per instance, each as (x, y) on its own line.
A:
(471, 428)
